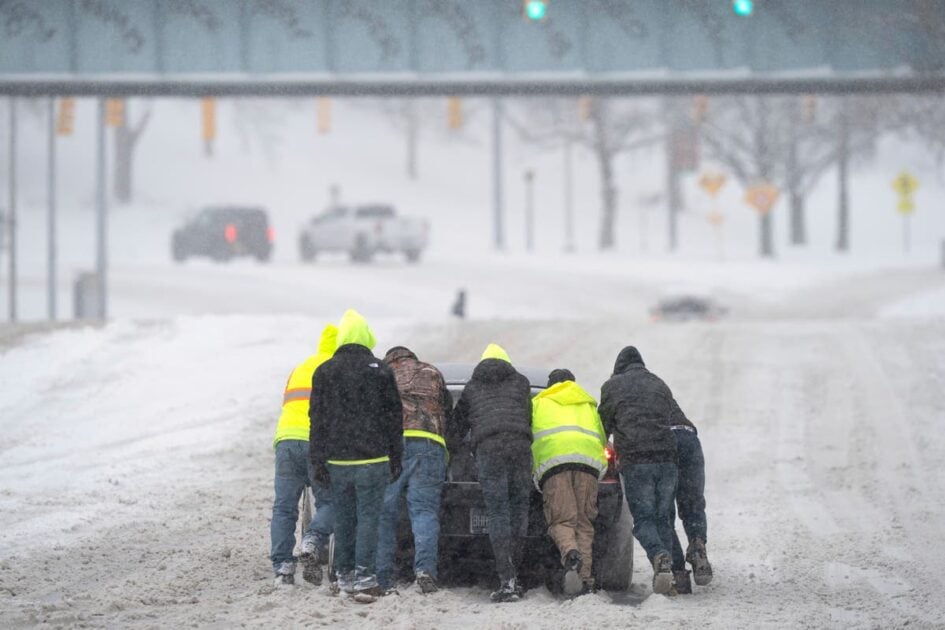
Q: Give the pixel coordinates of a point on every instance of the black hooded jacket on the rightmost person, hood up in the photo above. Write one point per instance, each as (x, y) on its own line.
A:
(638, 408)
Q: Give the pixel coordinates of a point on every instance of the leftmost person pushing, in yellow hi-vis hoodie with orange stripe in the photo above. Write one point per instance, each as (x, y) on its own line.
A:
(294, 472)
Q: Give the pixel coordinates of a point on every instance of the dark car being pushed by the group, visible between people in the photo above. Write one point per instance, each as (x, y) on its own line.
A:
(465, 554)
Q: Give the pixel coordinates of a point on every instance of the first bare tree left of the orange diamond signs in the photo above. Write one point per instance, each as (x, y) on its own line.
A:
(606, 127)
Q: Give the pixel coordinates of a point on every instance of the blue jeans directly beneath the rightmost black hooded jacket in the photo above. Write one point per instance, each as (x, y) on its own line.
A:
(651, 489)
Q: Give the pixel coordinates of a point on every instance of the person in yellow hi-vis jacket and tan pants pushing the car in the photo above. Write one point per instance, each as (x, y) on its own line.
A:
(568, 458)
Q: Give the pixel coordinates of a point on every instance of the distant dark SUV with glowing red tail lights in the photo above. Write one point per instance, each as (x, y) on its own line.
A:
(223, 232)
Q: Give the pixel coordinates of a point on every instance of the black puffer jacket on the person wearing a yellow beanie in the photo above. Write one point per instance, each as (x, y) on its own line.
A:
(496, 406)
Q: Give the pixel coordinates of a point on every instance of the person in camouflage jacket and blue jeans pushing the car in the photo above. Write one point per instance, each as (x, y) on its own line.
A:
(427, 406)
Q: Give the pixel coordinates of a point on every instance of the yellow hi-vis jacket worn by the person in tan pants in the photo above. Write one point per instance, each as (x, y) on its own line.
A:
(566, 430)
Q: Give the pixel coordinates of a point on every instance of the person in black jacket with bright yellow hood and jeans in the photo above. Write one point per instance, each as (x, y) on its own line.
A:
(356, 421)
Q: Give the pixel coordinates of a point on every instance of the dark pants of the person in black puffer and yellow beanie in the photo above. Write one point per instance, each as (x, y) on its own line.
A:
(506, 480)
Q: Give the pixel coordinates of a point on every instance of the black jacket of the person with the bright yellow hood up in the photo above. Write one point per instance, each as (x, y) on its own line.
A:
(355, 409)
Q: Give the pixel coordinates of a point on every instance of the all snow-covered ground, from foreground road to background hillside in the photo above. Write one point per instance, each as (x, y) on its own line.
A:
(135, 457)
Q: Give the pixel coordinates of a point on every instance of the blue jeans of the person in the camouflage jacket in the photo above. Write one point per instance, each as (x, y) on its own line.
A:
(422, 481)
